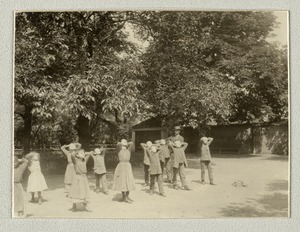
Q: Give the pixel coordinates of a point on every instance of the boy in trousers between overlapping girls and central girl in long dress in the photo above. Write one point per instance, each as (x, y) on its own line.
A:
(100, 169)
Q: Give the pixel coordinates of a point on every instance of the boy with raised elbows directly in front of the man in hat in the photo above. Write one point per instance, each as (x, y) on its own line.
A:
(179, 162)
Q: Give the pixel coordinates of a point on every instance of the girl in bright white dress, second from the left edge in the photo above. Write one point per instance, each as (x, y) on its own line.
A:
(36, 180)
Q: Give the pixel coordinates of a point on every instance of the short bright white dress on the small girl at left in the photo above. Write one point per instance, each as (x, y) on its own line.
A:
(36, 180)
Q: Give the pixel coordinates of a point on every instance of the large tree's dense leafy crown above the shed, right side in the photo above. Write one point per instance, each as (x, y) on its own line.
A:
(212, 66)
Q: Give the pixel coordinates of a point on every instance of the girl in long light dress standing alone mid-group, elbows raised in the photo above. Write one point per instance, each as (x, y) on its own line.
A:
(123, 177)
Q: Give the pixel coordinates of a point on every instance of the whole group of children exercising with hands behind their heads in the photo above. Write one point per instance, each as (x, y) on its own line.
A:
(164, 156)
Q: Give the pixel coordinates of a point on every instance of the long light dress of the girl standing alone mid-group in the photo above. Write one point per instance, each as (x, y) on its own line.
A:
(123, 178)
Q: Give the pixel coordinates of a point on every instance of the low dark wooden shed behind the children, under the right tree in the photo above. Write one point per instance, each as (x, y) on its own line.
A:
(234, 138)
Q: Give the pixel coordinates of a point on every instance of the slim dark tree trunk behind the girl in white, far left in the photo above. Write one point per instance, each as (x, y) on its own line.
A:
(27, 129)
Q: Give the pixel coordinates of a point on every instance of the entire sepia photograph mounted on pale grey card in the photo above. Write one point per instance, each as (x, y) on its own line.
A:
(151, 114)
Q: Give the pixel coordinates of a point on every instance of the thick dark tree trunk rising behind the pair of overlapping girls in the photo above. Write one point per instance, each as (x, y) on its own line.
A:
(83, 129)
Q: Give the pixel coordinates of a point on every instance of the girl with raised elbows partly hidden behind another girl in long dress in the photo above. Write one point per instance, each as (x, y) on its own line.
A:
(68, 150)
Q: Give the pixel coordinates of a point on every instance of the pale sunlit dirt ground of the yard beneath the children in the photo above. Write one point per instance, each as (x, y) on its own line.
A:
(266, 194)
